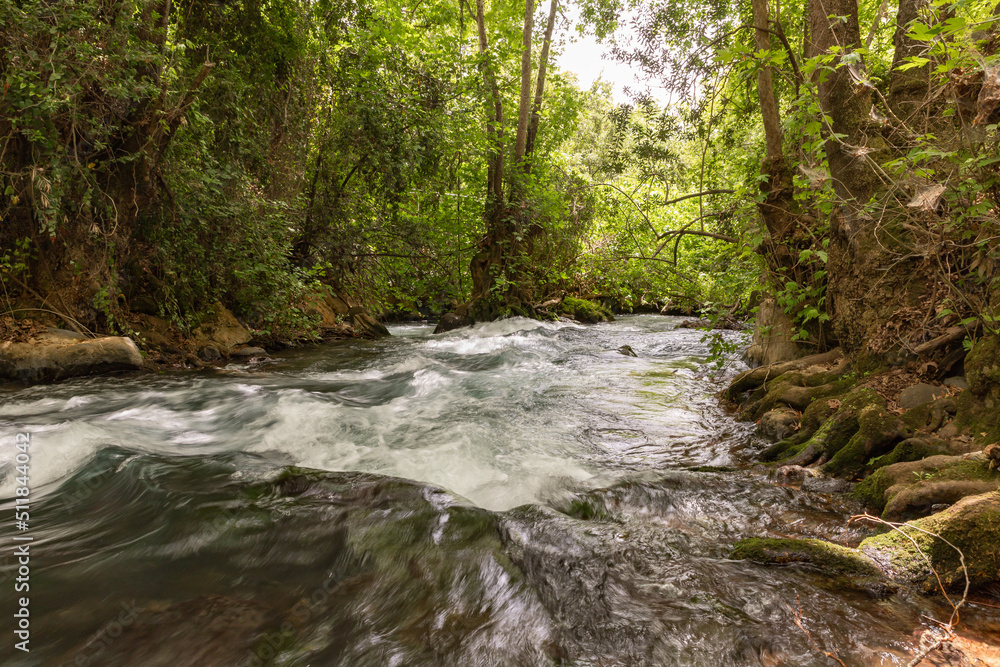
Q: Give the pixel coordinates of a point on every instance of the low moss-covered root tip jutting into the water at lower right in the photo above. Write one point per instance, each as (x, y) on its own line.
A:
(831, 558)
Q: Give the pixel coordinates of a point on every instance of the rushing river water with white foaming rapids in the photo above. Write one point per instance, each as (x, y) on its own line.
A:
(518, 493)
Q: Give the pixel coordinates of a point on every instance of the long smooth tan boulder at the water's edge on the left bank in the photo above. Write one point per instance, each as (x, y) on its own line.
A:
(59, 354)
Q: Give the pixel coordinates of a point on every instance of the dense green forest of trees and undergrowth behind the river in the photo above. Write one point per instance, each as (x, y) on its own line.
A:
(159, 157)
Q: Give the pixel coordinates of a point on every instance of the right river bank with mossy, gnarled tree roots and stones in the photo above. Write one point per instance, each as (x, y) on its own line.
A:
(907, 444)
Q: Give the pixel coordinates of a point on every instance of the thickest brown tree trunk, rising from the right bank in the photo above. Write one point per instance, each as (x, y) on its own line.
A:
(861, 294)
